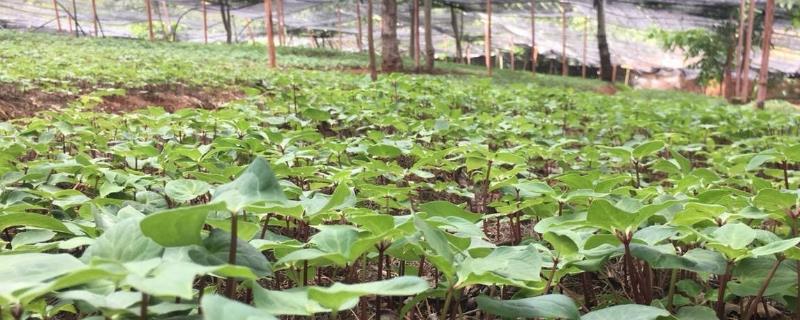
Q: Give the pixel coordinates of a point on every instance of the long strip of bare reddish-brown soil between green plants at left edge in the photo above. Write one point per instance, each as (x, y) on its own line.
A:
(17, 103)
